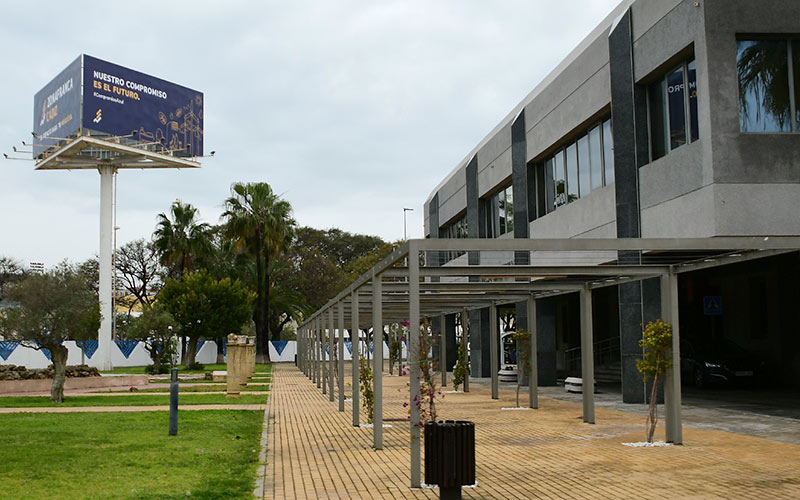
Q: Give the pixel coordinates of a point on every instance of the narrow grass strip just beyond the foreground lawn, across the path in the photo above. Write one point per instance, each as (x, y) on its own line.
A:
(137, 400)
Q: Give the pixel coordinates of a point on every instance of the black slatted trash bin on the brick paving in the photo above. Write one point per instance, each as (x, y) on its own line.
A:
(450, 456)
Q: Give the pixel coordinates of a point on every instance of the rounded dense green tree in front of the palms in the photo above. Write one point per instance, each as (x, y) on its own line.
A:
(204, 307)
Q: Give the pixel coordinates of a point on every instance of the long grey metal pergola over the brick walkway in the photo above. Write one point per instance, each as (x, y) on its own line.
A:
(434, 277)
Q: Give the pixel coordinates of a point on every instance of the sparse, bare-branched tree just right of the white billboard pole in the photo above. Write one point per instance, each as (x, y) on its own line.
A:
(138, 271)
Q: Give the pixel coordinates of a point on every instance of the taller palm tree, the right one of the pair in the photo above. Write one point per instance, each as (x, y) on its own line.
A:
(260, 224)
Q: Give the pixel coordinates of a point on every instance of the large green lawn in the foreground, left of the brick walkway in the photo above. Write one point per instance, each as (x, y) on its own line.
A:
(130, 456)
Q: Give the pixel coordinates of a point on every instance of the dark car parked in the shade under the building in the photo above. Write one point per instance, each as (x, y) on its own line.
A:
(723, 363)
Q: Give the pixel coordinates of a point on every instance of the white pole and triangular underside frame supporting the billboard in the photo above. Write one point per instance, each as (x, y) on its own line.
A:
(108, 154)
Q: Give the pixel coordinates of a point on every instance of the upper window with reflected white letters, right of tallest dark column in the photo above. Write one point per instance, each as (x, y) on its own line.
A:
(669, 103)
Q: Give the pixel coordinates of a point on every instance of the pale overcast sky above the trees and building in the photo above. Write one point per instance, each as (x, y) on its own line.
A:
(351, 110)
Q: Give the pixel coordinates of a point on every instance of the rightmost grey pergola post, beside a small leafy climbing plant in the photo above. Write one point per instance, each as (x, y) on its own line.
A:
(672, 383)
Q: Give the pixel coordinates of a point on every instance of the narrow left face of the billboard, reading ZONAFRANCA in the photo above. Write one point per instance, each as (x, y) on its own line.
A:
(57, 108)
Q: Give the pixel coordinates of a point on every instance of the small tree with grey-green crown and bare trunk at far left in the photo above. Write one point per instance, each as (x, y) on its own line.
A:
(52, 307)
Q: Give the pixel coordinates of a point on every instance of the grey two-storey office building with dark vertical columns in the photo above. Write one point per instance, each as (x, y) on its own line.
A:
(673, 118)
